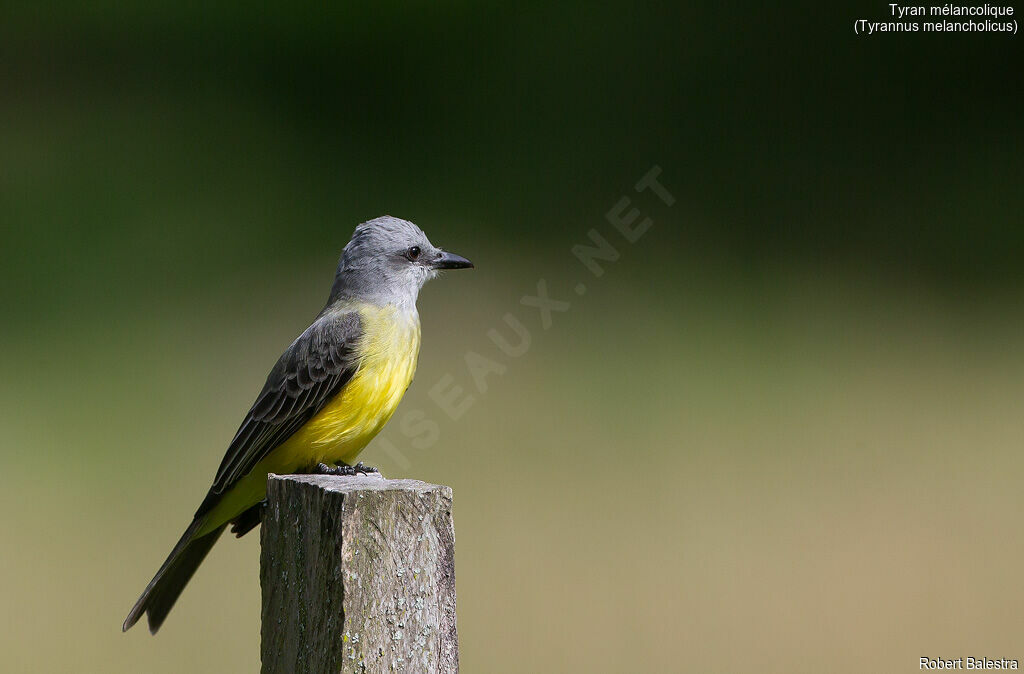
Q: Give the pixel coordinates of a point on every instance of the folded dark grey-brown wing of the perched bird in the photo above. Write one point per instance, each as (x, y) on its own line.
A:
(312, 372)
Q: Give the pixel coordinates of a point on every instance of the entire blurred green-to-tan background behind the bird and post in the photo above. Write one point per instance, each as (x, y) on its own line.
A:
(783, 433)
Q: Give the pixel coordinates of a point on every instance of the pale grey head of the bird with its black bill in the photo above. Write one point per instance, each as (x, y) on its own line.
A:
(388, 262)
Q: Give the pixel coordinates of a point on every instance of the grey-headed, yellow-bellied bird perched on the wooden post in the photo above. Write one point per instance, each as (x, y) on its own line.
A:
(331, 392)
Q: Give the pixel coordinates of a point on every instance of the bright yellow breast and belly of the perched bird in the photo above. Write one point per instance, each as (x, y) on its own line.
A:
(339, 432)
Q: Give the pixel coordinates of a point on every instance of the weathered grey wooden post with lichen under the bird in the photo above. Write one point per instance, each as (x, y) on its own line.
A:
(358, 576)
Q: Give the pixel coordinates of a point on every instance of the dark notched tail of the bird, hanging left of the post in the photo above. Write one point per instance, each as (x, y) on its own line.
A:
(167, 585)
